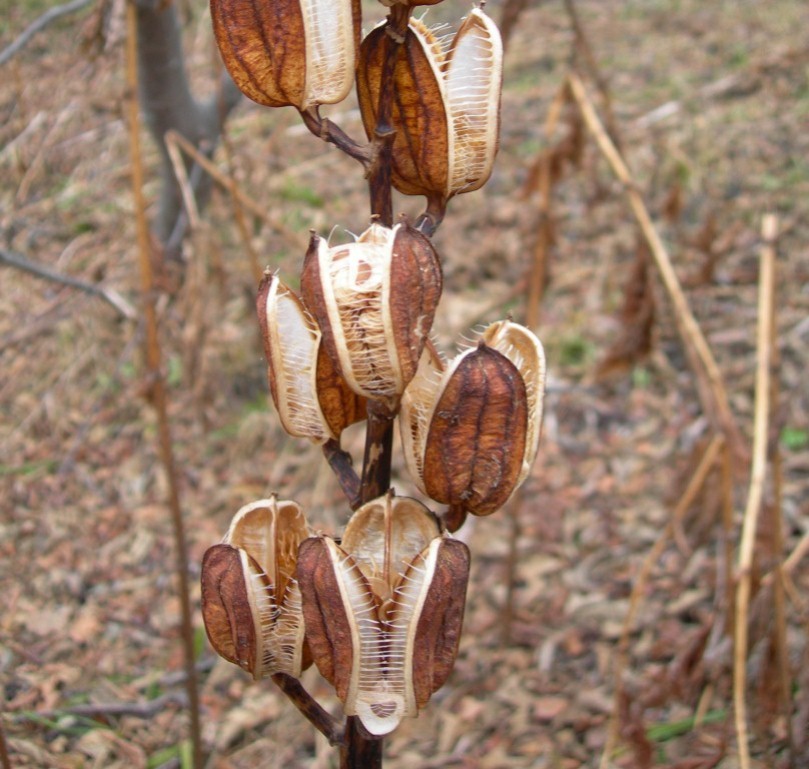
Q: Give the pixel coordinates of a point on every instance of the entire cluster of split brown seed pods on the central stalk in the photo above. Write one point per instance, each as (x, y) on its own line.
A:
(380, 609)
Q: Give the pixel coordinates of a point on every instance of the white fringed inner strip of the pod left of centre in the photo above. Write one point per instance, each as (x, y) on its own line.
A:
(295, 340)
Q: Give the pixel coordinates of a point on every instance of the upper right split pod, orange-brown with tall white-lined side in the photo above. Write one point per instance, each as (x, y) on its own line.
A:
(447, 110)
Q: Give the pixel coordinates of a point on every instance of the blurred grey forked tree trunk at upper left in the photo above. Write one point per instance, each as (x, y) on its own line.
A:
(168, 103)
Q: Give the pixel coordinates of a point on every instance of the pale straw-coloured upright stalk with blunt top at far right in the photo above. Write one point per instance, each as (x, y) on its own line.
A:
(757, 477)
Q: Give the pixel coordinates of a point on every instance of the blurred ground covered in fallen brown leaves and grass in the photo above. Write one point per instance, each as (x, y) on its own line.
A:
(711, 102)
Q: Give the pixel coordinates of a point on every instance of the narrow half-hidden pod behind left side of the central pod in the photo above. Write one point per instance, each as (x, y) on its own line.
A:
(312, 399)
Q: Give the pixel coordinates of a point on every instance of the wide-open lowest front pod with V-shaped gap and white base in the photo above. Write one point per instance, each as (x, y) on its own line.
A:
(384, 609)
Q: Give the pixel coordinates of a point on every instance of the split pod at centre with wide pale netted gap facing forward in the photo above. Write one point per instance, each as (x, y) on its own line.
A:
(374, 301)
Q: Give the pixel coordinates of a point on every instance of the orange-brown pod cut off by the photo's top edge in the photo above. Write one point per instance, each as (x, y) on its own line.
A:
(289, 52)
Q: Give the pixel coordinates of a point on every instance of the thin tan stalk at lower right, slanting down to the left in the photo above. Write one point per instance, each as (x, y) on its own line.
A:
(696, 483)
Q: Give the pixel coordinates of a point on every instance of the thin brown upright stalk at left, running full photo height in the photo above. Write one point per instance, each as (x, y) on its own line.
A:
(157, 393)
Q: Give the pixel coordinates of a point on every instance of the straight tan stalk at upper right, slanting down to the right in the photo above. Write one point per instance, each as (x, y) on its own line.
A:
(713, 395)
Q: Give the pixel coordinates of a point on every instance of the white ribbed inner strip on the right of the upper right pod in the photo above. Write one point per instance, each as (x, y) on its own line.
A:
(473, 82)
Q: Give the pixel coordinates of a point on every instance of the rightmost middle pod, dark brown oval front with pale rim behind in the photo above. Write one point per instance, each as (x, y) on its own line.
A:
(470, 434)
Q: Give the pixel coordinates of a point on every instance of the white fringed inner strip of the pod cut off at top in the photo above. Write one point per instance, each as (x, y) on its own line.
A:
(329, 31)
